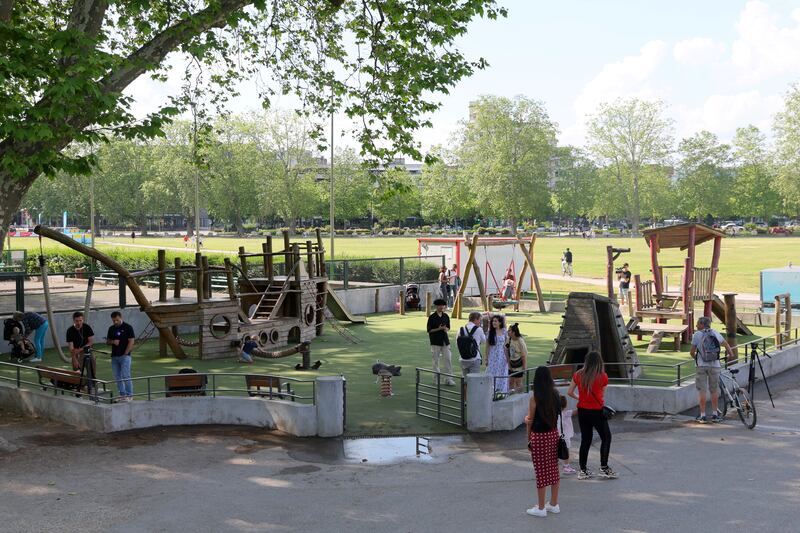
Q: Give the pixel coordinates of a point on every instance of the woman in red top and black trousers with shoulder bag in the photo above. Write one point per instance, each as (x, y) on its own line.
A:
(591, 382)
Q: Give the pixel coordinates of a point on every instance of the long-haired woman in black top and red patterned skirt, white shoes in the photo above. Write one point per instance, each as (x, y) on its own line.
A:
(542, 423)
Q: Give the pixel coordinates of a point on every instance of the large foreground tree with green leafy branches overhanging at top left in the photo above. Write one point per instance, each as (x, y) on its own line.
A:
(65, 64)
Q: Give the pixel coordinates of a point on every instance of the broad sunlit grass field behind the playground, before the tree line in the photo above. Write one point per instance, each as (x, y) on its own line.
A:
(742, 257)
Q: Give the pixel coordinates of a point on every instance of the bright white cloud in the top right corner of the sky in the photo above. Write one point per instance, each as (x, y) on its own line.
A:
(764, 48)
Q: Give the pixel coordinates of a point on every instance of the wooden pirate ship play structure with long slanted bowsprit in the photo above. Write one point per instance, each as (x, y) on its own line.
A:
(284, 312)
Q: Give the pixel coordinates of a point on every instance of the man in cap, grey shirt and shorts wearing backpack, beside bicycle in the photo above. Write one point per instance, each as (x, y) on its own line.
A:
(706, 344)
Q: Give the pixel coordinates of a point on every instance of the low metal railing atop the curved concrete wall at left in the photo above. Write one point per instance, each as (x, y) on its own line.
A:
(211, 384)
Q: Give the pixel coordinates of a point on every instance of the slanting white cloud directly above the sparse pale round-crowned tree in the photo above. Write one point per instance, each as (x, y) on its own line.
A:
(626, 78)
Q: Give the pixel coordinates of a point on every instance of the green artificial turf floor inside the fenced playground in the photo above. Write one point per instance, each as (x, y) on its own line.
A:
(388, 337)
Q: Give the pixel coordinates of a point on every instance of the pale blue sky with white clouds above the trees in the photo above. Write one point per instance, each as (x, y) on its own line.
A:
(716, 64)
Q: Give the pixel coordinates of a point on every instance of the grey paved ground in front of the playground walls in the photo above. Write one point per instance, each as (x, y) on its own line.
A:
(675, 476)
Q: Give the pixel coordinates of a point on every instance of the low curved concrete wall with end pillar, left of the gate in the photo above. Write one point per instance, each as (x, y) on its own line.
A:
(302, 420)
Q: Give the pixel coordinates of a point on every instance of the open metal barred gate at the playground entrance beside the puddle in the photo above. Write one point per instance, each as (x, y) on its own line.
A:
(437, 400)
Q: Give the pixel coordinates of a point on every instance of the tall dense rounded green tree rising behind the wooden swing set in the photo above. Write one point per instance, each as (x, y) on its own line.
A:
(507, 153)
